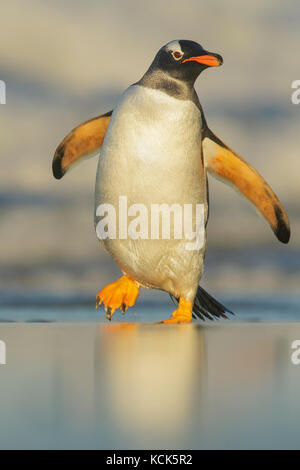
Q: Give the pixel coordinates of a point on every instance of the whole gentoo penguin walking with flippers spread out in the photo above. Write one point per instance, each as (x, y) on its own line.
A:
(156, 148)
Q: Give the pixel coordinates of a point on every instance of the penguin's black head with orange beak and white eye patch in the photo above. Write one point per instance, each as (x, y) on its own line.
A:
(184, 60)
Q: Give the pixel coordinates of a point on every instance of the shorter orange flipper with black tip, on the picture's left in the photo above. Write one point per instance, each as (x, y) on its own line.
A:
(82, 142)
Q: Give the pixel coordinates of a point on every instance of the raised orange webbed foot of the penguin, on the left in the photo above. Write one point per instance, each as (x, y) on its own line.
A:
(120, 294)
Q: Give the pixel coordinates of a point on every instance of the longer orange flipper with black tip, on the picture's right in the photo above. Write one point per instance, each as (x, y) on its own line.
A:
(225, 164)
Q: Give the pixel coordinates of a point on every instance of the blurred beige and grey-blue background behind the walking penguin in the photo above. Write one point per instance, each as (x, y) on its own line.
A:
(66, 61)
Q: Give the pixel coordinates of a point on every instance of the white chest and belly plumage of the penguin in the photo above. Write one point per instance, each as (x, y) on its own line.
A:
(152, 155)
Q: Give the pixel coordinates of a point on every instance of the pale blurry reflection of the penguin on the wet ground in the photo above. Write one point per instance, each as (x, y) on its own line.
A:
(150, 375)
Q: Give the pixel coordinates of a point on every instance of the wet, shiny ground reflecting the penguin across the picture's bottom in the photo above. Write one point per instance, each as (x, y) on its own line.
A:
(90, 384)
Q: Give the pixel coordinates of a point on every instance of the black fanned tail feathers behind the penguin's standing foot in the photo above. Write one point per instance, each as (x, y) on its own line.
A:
(205, 306)
